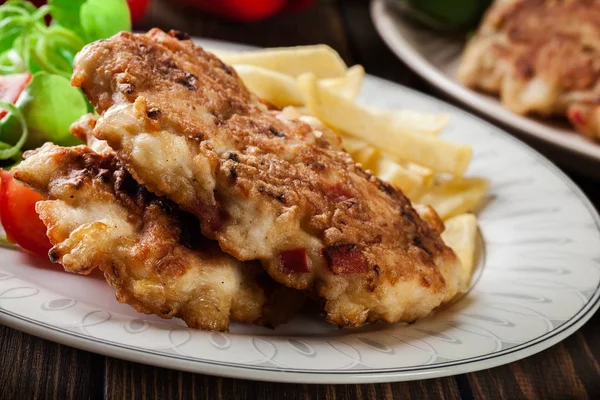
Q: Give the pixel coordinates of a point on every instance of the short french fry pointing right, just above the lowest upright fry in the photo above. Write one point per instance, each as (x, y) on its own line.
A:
(455, 196)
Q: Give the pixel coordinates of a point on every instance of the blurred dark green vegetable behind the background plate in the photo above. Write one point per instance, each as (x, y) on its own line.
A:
(447, 15)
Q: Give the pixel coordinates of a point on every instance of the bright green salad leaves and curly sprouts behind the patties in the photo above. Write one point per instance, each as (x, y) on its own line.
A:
(49, 104)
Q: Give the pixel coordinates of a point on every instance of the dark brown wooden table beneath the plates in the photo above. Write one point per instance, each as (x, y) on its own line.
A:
(34, 368)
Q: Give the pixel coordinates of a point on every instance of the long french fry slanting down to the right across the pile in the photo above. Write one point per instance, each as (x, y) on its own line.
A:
(353, 119)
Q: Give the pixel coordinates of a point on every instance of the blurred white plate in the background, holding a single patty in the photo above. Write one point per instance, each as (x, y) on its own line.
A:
(436, 58)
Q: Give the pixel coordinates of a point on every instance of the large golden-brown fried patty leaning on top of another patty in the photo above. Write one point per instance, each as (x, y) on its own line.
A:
(266, 186)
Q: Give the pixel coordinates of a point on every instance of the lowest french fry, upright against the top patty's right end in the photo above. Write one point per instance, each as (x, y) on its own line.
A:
(461, 236)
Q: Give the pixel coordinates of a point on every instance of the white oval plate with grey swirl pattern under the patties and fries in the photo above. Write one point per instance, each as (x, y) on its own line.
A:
(538, 282)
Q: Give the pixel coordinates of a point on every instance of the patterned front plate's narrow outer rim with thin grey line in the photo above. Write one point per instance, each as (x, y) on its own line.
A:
(533, 346)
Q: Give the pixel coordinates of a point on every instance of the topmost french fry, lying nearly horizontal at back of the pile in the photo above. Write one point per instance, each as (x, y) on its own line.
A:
(320, 60)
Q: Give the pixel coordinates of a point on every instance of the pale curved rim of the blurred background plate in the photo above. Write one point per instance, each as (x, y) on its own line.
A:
(384, 24)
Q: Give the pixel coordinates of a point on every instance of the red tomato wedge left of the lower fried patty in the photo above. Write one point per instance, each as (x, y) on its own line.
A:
(19, 218)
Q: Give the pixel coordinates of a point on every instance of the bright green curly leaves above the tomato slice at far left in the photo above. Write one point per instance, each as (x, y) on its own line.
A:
(28, 44)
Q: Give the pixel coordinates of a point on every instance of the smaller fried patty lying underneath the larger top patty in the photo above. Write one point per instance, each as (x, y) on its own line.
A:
(98, 216)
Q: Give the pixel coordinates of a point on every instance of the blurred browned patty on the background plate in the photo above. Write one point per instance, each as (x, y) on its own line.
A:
(542, 57)
